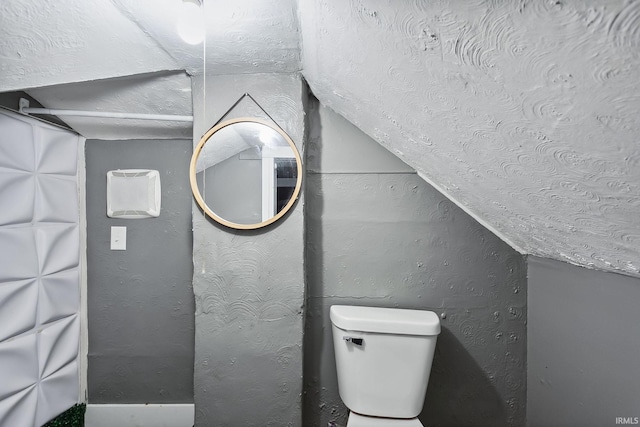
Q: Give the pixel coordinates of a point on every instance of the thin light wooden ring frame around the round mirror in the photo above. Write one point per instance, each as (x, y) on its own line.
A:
(199, 198)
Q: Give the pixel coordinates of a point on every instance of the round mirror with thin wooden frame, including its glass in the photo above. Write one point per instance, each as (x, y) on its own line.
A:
(245, 173)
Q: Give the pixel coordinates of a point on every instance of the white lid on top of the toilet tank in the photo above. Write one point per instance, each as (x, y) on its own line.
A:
(385, 320)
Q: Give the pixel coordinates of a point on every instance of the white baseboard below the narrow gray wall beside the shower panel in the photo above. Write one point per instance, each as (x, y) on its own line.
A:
(133, 415)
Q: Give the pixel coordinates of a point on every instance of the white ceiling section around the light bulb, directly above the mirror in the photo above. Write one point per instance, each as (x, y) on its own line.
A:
(243, 36)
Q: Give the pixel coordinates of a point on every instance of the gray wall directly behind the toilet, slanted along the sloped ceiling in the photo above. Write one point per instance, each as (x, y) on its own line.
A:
(378, 235)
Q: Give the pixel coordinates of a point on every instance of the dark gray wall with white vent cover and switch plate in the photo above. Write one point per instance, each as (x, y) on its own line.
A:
(140, 301)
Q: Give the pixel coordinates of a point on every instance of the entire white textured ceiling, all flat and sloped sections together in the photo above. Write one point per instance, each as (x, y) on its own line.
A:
(526, 113)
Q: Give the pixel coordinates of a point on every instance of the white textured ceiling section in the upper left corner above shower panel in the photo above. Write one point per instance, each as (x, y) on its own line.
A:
(48, 42)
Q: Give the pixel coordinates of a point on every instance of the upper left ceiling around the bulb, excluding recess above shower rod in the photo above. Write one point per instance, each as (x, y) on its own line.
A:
(47, 42)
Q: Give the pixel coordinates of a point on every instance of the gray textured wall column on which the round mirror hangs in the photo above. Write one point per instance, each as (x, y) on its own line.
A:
(249, 285)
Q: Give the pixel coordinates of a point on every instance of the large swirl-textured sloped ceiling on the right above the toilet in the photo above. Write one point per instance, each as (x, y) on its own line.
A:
(525, 112)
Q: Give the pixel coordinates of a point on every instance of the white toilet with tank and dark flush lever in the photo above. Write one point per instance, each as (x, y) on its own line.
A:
(383, 360)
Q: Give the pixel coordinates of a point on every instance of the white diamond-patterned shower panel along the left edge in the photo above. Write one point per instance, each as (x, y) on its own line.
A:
(39, 271)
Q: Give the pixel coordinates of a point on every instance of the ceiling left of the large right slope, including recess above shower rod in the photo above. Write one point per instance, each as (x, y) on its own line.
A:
(126, 56)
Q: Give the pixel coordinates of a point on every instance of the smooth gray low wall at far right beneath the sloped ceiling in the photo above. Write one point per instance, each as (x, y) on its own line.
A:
(583, 346)
